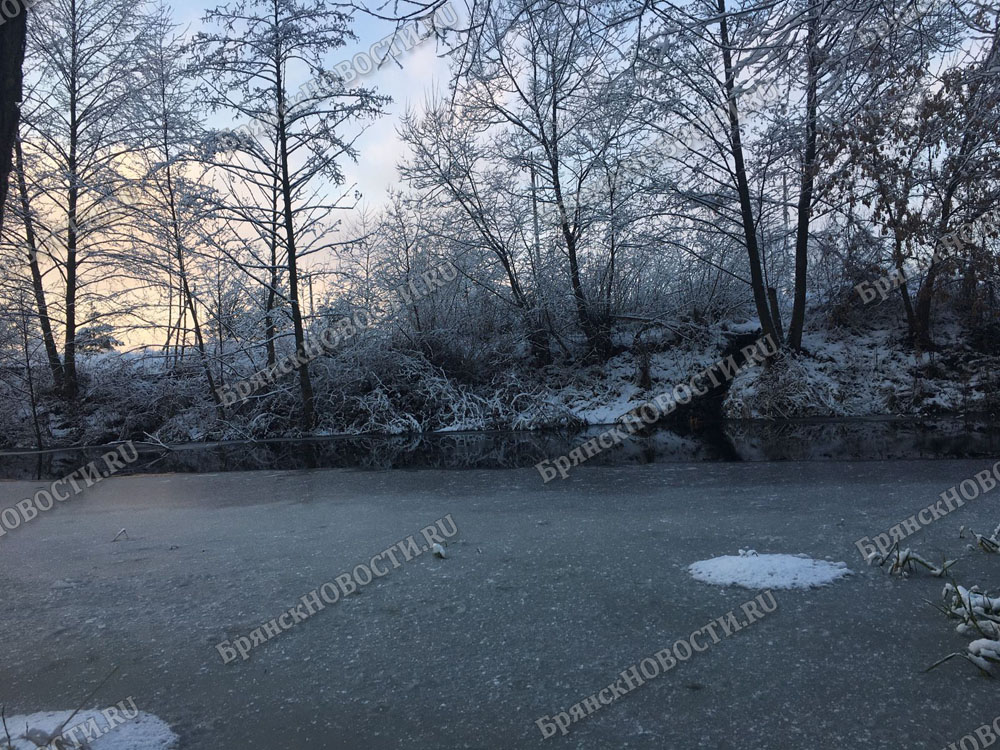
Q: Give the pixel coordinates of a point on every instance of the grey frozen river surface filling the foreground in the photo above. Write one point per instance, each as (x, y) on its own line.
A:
(547, 594)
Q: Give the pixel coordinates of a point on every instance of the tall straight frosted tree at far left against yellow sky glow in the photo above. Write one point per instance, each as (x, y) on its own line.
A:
(76, 116)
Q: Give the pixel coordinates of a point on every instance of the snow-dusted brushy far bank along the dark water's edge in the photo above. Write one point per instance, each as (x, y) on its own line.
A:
(842, 373)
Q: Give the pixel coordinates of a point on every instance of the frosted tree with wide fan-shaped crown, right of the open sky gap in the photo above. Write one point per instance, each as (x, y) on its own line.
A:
(550, 91)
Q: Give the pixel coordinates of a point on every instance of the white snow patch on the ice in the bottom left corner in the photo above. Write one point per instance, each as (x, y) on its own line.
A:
(144, 732)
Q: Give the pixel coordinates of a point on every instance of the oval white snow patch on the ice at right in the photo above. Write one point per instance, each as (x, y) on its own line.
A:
(768, 571)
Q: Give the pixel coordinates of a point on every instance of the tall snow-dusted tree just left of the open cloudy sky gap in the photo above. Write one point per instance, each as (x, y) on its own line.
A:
(246, 64)
